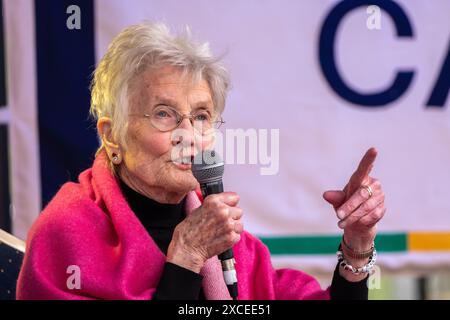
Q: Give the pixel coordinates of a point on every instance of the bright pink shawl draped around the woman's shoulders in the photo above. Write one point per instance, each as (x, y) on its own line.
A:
(89, 225)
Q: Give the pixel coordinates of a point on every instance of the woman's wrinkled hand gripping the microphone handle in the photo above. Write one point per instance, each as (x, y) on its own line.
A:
(208, 231)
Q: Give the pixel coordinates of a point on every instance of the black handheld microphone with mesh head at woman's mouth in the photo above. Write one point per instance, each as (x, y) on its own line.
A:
(208, 169)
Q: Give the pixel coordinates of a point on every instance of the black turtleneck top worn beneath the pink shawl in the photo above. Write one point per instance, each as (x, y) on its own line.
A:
(178, 283)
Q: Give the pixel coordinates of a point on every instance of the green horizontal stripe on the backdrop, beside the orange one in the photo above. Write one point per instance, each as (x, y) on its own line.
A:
(328, 244)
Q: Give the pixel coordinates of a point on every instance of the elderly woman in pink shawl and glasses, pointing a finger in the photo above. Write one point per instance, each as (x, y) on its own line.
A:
(135, 225)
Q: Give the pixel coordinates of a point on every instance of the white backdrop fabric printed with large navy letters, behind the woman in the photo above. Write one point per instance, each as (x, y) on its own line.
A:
(272, 53)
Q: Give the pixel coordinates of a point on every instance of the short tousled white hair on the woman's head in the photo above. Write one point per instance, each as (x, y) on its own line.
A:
(139, 48)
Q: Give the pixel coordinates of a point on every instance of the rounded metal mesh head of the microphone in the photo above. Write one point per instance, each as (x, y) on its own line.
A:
(208, 166)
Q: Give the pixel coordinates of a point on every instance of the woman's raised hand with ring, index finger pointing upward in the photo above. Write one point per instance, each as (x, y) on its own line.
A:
(360, 205)
